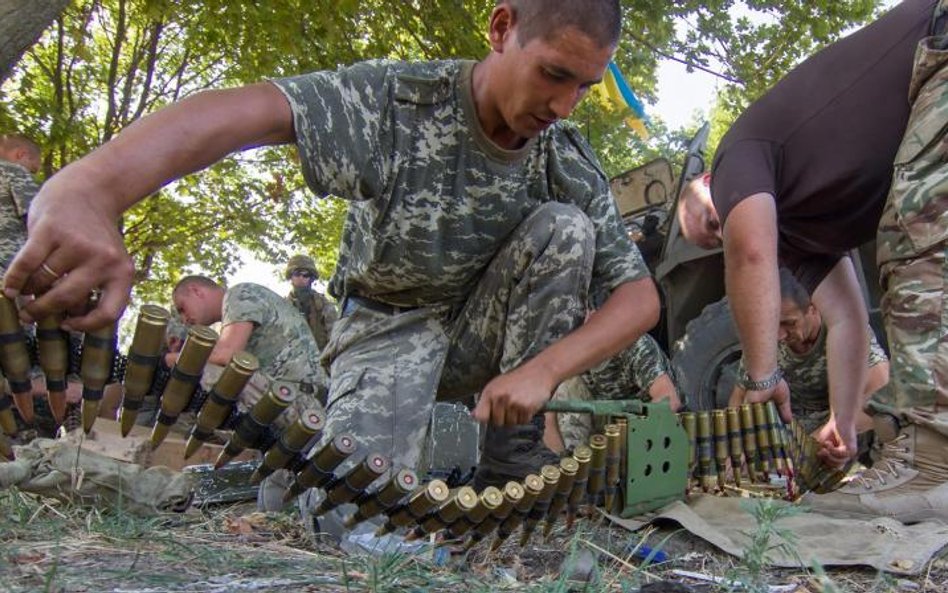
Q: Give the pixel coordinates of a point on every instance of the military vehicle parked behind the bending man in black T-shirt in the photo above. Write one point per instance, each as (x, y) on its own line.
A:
(696, 327)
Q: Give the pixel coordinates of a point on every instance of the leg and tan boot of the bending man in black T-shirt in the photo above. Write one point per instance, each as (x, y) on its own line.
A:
(909, 481)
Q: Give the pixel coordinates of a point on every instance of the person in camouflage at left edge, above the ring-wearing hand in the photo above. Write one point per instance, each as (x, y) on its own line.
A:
(19, 161)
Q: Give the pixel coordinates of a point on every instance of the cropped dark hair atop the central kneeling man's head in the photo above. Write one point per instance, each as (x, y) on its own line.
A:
(600, 20)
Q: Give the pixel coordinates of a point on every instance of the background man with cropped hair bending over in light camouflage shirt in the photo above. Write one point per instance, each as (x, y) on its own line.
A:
(255, 319)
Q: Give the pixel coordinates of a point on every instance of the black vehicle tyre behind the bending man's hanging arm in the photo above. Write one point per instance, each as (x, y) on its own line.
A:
(705, 358)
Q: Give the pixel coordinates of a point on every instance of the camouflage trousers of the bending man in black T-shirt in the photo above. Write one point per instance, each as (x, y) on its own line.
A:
(913, 238)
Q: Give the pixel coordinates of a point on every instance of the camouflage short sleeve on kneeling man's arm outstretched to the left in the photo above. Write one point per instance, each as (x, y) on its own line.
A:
(340, 120)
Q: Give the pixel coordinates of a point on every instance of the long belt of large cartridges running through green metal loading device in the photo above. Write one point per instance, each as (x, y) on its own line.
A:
(638, 450)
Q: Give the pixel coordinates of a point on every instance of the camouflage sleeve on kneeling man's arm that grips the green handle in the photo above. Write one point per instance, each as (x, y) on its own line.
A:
(617, 260)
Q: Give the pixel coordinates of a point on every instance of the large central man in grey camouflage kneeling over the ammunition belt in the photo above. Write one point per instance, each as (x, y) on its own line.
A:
(477, 223)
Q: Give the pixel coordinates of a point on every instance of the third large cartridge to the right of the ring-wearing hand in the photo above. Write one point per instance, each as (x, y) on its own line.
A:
(220, 400)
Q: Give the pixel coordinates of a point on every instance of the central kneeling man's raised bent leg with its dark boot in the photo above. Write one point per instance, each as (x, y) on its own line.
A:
(533, 293)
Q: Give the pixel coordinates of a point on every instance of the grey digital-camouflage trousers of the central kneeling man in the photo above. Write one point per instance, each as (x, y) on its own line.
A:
(388, 369)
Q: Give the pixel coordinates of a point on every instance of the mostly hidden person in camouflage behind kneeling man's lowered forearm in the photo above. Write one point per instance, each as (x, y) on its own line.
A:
(642, 371)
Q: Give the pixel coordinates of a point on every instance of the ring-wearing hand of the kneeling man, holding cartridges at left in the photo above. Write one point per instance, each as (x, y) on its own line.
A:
(74, 247)
